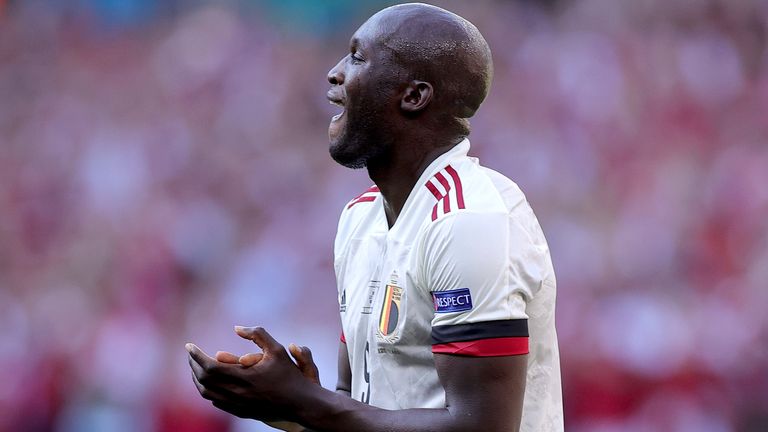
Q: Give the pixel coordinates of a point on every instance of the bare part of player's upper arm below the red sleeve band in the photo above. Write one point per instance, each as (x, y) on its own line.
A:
(483, 393)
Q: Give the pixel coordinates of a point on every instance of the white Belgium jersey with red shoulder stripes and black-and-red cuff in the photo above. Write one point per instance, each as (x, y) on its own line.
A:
(465, 270)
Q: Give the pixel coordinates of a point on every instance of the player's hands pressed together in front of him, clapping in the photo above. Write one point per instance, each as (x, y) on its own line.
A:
(256, 385)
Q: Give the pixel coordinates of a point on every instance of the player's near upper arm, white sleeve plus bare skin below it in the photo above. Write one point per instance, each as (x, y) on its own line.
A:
(481, 275)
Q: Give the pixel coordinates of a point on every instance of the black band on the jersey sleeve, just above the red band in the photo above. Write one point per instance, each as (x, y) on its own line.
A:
(480, 330)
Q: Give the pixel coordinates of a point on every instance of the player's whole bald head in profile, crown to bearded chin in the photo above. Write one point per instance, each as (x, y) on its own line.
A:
(412, 78)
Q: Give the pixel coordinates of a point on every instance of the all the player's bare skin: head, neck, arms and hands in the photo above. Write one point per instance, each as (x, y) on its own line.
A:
(413, 76)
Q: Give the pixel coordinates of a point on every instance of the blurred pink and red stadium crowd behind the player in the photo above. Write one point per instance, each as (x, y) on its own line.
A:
(164, 175)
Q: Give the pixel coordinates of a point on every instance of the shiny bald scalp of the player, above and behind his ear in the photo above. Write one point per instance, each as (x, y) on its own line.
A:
(434, 45)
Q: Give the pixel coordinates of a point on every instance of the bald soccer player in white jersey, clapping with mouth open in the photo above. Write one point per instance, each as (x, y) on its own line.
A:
(445, 283)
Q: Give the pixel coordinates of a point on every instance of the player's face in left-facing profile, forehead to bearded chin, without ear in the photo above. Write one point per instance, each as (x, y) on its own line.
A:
(363, 84)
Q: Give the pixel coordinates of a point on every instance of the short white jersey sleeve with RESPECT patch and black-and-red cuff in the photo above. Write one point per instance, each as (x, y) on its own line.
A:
(472, 265)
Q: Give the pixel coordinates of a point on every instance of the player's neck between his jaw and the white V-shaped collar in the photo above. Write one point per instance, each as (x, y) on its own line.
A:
(397, 174)
